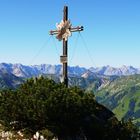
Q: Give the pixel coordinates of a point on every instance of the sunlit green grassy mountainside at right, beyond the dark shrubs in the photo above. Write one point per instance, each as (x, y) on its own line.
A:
(122, 96)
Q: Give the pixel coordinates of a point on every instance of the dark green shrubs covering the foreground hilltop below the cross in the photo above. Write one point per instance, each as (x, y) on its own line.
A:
(69, 113)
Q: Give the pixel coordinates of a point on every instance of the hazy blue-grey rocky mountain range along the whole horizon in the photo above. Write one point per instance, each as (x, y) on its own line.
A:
(24, 71)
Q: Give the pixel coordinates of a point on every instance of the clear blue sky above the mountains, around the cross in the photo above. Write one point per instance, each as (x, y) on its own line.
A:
(111, 33)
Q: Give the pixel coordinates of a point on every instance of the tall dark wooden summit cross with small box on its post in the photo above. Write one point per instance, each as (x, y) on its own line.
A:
(59, 34)
